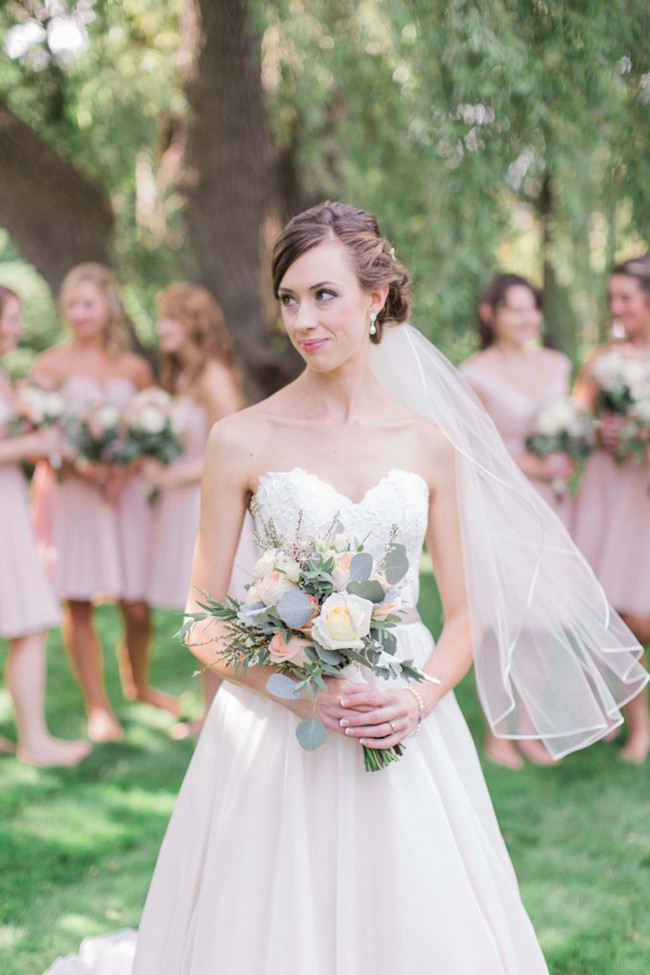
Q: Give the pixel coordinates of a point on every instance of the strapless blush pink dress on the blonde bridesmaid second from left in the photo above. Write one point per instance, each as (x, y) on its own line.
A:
(99, 549)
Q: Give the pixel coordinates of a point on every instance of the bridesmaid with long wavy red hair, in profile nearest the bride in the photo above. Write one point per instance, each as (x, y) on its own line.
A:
(198, 368)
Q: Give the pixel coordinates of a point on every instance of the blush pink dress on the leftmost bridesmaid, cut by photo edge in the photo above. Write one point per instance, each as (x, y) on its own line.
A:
(27, 602)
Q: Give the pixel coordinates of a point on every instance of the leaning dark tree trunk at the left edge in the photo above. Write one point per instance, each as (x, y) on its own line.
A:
(55, 216)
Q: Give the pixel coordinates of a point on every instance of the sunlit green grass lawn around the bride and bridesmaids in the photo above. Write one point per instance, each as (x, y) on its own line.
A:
(77, 846)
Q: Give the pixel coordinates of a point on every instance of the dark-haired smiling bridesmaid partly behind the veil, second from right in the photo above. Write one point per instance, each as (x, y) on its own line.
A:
(514, 378)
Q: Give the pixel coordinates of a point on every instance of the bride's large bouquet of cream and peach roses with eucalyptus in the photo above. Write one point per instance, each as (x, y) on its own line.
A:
(317, 608)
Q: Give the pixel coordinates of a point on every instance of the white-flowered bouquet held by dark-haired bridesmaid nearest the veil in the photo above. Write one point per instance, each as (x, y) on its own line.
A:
(561, 427)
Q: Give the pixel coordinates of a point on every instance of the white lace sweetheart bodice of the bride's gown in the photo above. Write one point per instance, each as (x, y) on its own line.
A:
(400, 498)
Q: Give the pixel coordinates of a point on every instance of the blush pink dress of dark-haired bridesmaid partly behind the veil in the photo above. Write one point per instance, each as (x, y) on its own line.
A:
(514, 409)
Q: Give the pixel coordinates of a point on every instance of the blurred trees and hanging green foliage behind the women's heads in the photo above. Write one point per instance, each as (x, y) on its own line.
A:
(172, 138)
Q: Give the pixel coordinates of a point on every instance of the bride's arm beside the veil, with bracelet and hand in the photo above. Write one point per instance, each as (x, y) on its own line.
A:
(452, 657)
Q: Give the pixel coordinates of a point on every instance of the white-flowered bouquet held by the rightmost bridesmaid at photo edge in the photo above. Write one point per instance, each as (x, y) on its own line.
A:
(624, 389)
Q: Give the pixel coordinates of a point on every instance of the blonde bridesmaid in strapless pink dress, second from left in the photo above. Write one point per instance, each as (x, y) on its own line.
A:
(100, 519)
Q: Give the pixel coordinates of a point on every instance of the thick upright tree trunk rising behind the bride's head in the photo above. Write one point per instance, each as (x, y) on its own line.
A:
(230, 176)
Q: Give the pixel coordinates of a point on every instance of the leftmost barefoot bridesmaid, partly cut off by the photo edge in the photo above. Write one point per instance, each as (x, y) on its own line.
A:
(28, 607)
